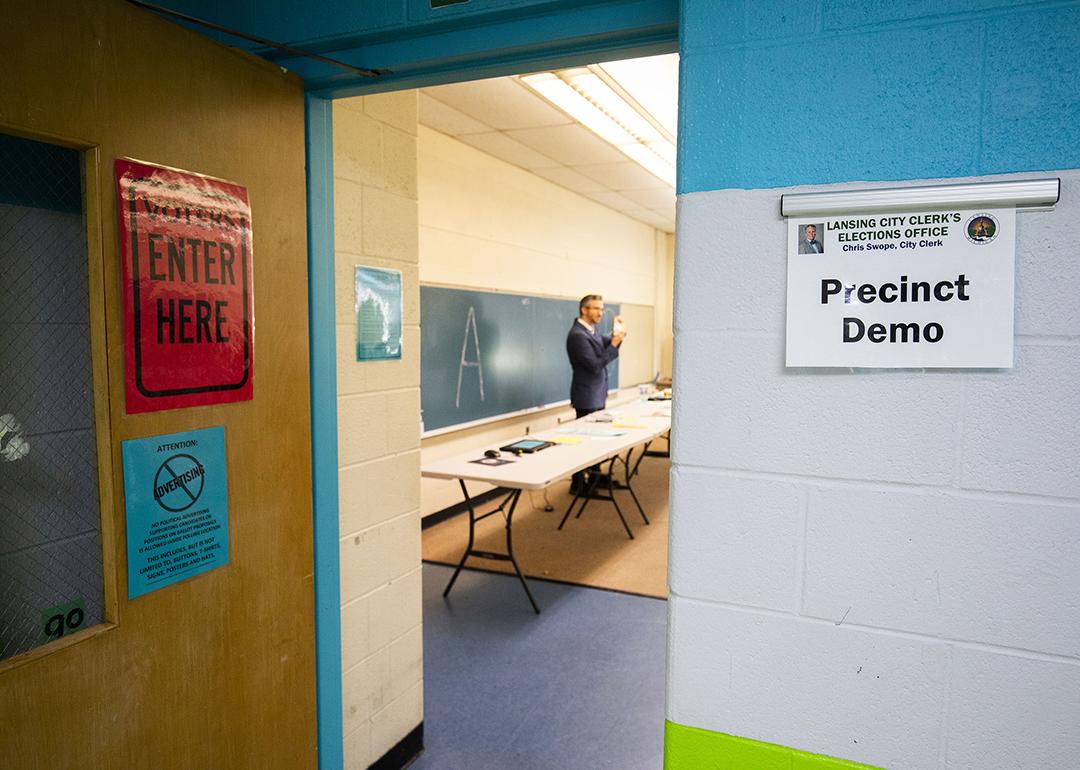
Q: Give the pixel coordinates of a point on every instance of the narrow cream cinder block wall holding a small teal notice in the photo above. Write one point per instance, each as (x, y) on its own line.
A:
(375, 212)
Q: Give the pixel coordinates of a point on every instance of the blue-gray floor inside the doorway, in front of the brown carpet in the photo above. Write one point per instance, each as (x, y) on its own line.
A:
(579, 687)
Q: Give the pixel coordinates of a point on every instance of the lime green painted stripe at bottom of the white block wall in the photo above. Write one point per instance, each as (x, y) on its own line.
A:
(694, 749)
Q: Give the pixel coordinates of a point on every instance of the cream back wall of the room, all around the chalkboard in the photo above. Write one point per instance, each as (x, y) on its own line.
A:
(487, 224)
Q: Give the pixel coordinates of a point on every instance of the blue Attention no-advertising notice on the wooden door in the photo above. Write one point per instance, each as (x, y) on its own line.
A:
(177, 495)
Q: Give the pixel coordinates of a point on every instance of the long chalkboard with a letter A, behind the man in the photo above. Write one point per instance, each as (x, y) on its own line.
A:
(490, 354)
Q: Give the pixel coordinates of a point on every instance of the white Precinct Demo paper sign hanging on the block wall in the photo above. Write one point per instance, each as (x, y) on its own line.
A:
(921, 289)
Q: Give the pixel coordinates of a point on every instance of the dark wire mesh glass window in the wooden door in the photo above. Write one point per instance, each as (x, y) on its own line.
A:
(51, 582)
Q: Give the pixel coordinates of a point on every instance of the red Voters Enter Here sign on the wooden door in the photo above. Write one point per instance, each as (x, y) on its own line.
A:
(186, 245)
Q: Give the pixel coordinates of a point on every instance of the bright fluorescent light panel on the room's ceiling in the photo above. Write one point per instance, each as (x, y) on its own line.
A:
(588, 99)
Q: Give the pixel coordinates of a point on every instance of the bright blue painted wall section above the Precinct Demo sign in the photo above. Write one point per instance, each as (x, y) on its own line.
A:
(801, 93)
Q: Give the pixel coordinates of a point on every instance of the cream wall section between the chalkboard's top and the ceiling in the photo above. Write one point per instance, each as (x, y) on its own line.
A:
(491, 225)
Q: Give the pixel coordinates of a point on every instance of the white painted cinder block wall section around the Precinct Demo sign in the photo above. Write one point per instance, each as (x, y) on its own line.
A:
(876, 565)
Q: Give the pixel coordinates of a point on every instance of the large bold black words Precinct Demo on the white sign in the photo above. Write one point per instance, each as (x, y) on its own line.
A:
(903, 291)
